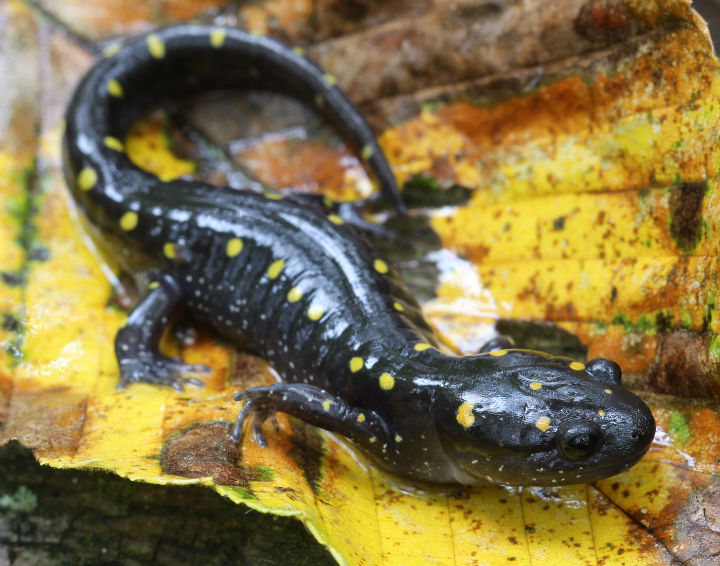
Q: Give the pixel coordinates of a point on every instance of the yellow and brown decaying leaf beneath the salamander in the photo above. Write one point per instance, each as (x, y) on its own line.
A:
(589, 135)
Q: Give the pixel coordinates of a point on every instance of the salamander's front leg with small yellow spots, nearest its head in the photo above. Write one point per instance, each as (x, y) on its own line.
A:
(313, 405)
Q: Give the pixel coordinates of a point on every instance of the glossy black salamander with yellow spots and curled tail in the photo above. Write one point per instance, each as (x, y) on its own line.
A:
(294, 282)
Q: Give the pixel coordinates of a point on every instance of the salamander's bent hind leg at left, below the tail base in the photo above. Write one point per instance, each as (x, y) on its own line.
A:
(136, 344)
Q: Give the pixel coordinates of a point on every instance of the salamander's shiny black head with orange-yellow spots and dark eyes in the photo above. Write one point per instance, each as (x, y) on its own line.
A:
(534, 419)
